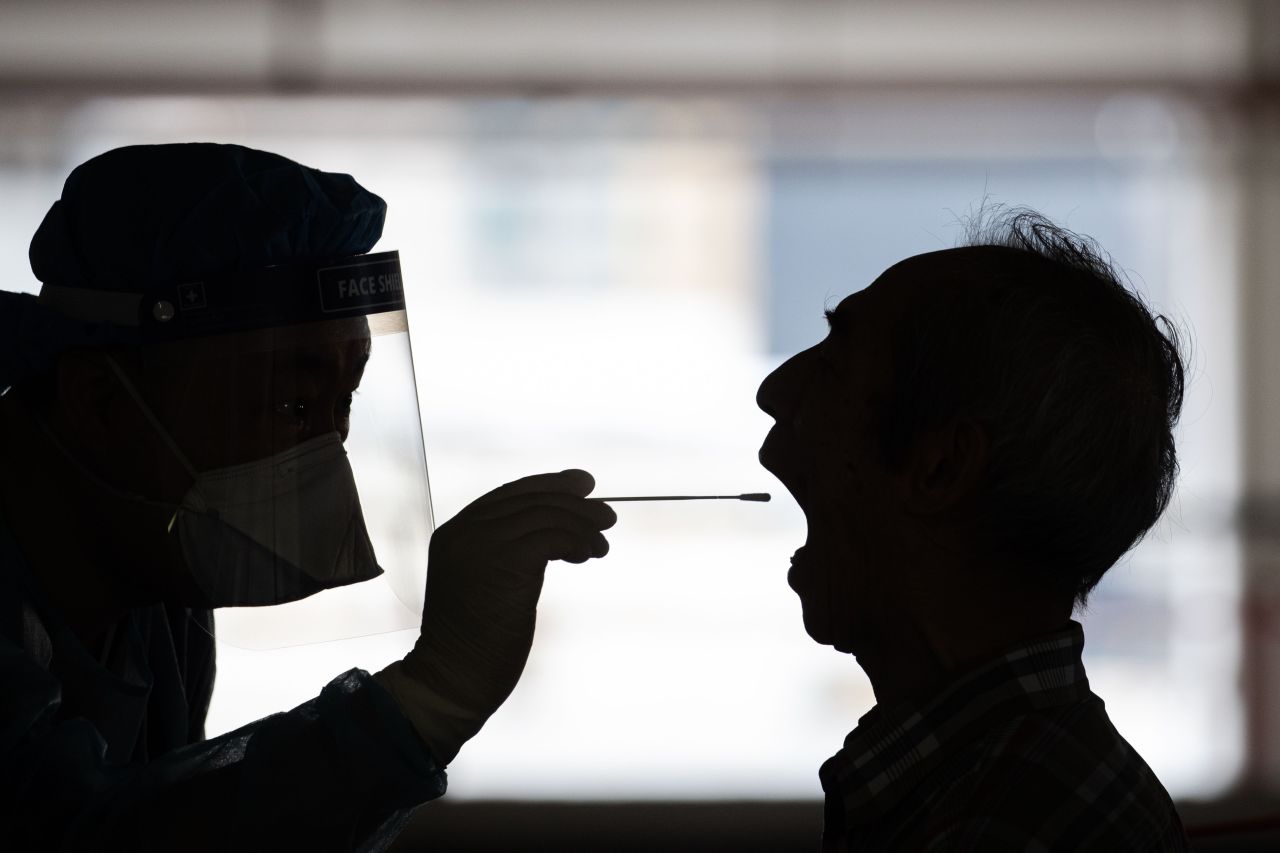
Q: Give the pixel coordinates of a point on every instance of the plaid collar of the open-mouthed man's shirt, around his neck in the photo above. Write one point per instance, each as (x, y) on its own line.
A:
(895, 747)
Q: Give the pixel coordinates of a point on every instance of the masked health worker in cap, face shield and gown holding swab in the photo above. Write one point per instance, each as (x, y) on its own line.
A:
(175, 425)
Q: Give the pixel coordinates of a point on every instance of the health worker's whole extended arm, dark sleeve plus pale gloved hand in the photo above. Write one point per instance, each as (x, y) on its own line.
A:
(339, 772)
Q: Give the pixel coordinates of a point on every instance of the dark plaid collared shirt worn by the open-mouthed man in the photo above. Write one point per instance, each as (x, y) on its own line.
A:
(1016, 755)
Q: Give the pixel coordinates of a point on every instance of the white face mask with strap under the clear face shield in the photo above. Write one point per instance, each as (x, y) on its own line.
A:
(271, 531)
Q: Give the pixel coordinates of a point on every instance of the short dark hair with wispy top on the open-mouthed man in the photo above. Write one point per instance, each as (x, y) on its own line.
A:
(1077, 385)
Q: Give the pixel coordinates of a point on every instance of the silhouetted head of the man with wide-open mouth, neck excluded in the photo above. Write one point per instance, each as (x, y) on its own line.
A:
(988, 423)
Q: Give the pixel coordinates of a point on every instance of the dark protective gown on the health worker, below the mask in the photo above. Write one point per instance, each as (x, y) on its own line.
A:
(111, 755)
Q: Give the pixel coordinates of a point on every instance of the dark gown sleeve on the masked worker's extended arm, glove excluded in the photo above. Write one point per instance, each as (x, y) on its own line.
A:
(330, 776)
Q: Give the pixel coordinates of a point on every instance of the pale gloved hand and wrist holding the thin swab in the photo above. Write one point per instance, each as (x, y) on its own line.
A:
(484, 577)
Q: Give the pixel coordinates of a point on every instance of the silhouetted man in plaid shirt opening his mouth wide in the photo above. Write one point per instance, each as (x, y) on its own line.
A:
(981, 436)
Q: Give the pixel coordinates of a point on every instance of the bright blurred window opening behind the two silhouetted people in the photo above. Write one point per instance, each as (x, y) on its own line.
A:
(604, 284)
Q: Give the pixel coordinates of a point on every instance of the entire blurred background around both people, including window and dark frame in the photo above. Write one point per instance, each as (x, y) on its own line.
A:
(615, 220)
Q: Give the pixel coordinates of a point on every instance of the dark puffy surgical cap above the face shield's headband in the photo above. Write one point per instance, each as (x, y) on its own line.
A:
(158, 215)
